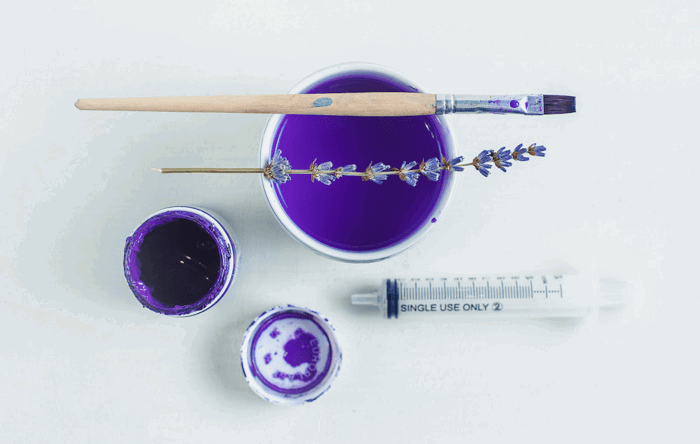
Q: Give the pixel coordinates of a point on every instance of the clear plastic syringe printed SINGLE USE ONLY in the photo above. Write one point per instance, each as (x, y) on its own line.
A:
(535, 296)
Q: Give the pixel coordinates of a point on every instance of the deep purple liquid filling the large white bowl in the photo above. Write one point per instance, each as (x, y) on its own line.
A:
(351, 214)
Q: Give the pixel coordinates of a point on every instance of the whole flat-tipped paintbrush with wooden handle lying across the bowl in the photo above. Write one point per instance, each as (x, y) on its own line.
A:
(344, 104)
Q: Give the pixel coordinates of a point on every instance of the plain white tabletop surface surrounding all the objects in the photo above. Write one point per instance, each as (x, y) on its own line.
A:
(81, 361)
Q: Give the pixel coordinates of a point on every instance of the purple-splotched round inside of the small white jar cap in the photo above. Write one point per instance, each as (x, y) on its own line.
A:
(306, 353)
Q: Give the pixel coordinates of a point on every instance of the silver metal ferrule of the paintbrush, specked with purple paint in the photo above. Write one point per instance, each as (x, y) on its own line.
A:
(529, 104)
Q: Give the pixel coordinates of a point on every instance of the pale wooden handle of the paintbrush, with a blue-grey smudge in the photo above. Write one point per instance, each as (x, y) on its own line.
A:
(349, 104)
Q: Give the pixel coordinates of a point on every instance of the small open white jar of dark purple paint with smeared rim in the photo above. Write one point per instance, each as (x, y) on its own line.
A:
(178, 263)
